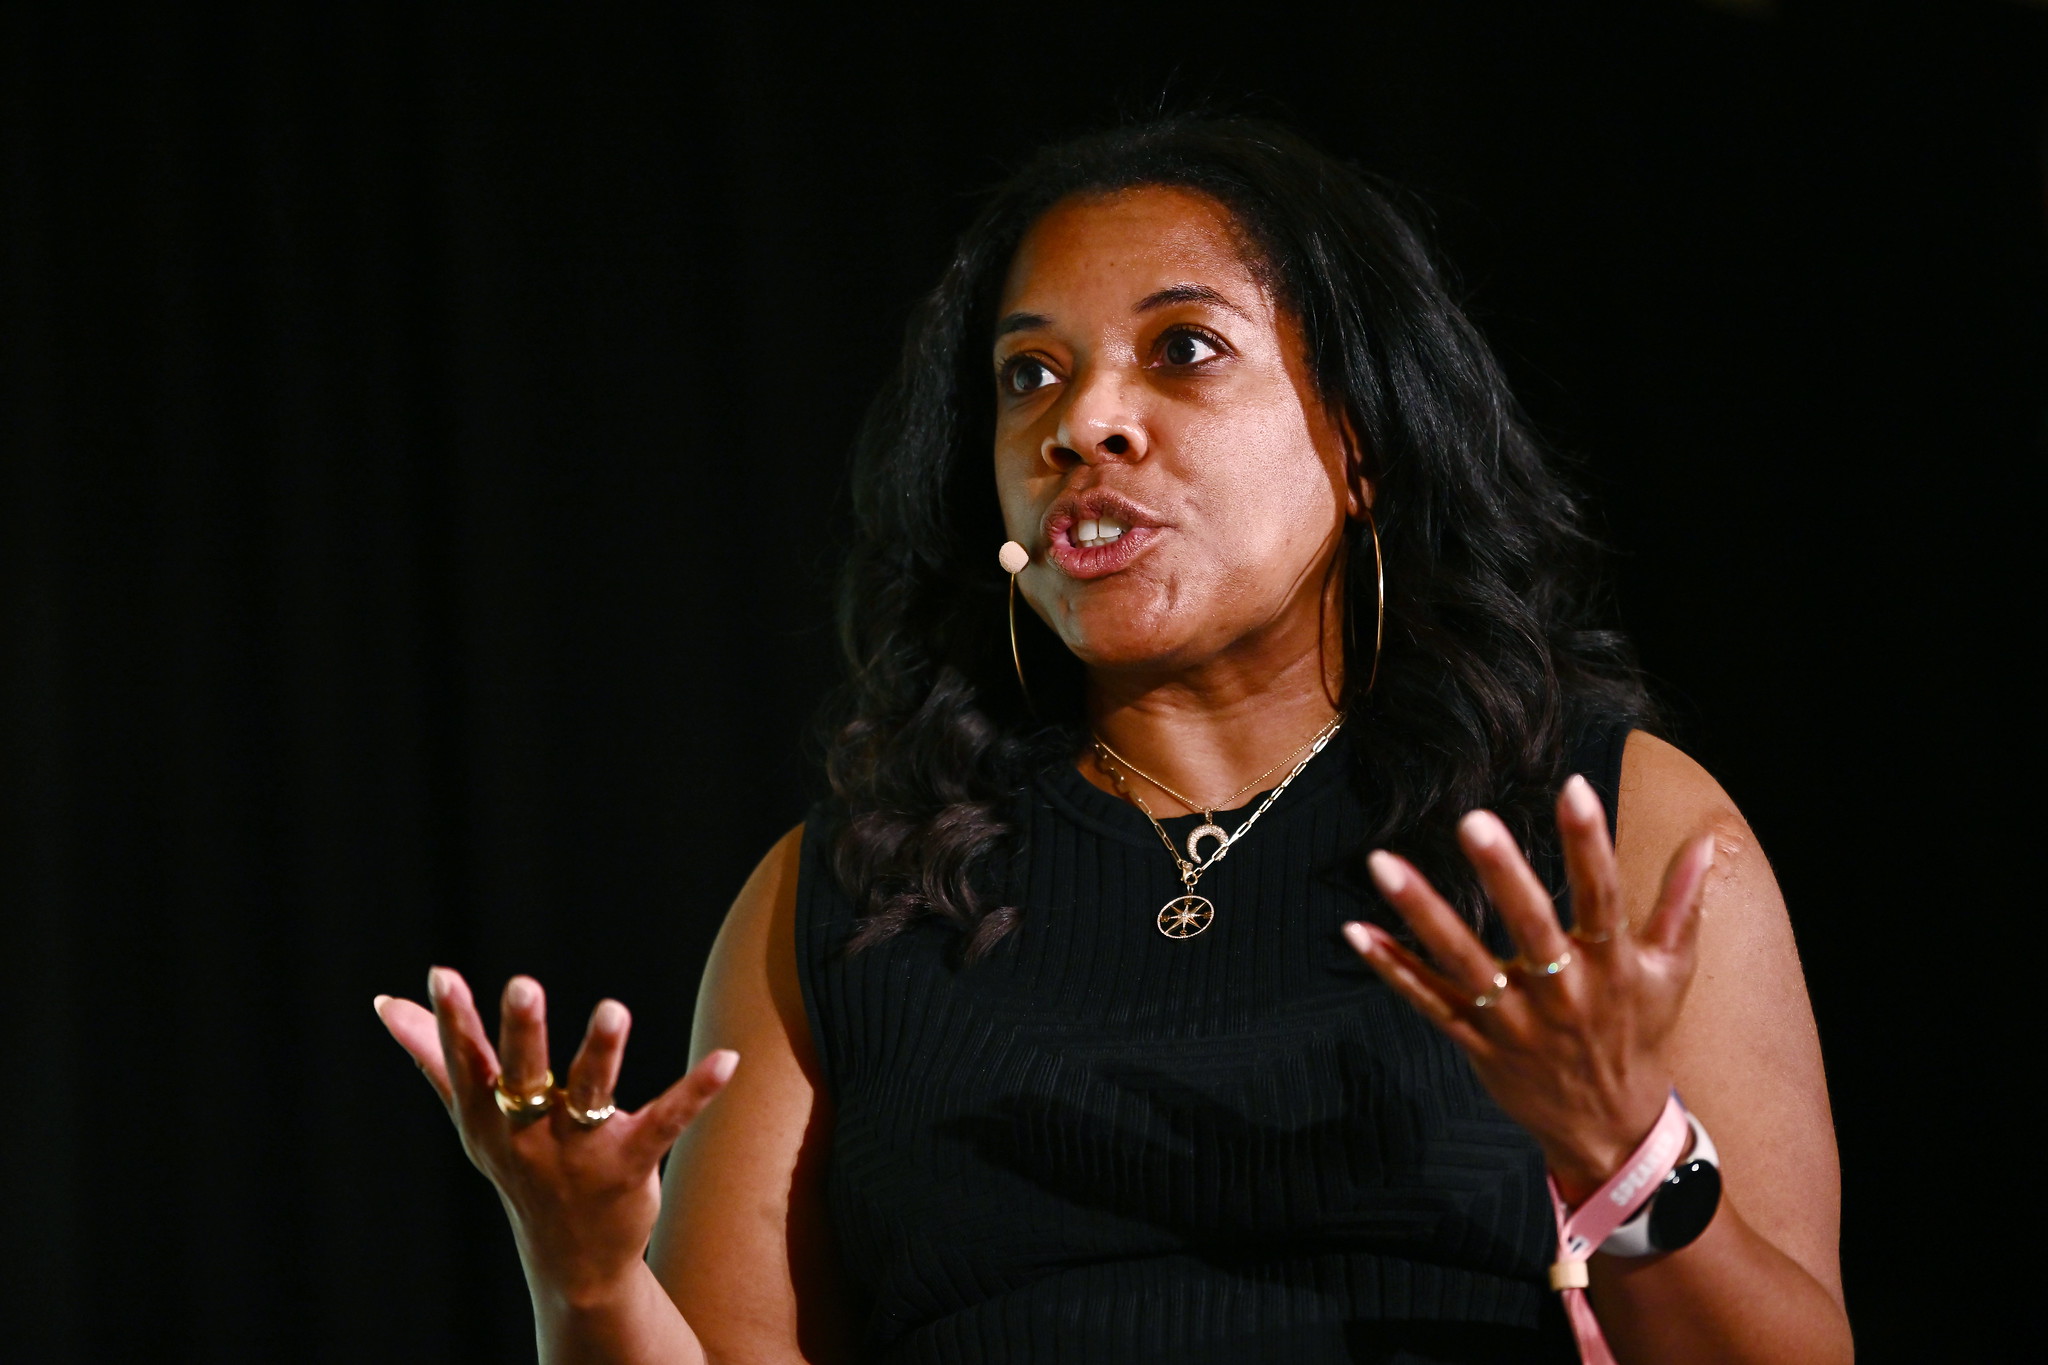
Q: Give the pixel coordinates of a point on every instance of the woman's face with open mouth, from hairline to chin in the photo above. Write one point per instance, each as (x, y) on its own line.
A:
(1160, 447)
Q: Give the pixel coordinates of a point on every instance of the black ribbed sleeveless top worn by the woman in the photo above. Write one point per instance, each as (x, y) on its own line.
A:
(1107, 1145)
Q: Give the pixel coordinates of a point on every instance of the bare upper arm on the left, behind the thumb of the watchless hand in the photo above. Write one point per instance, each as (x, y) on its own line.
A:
(744, 1243)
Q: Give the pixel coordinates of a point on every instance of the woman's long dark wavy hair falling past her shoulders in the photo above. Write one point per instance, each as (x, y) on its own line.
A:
(1492, 658)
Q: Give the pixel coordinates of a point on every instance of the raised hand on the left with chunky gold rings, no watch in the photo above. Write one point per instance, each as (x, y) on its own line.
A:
(583, 1200)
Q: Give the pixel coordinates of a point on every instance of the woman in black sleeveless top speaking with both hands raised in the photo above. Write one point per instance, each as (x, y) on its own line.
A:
(1170, 983)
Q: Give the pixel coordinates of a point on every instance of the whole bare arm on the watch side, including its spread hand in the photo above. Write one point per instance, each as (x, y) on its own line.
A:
(1691, 979)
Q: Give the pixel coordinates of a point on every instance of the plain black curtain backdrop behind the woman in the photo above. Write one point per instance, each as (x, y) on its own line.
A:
(423, 480)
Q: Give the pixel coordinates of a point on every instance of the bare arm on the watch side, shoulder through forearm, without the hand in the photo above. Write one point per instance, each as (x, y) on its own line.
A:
(1764, 1280)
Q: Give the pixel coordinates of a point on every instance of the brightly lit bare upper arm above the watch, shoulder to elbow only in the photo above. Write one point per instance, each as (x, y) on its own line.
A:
(1746, 1053)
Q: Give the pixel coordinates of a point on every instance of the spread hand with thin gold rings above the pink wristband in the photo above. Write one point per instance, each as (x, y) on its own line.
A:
(1570, 1039)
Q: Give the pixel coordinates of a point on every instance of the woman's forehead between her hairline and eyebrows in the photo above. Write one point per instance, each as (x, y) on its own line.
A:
(1123, 247)
